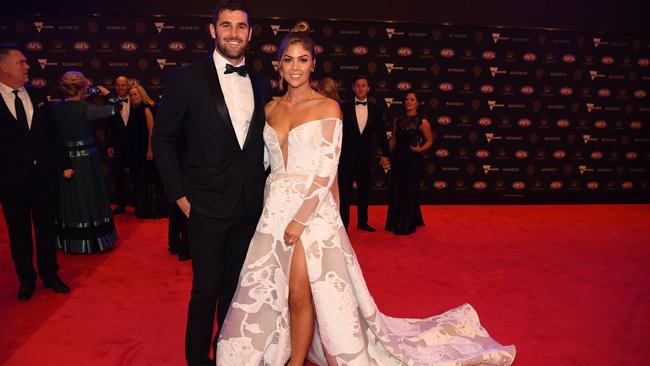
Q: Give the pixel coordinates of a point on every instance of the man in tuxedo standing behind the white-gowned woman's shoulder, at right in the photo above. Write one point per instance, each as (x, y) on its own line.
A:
(362, 125)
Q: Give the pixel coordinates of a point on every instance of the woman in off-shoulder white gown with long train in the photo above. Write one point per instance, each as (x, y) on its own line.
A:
(301, 292)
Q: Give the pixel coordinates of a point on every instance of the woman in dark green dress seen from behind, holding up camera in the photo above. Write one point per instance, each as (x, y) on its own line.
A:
(84, 223)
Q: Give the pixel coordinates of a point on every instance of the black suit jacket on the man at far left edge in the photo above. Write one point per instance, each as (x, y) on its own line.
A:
(21, 146)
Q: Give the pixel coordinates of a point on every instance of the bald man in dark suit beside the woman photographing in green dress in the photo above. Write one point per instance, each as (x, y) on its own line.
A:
(126, 141)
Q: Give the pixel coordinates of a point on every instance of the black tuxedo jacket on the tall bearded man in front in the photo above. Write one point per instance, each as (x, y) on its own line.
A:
(215, 173)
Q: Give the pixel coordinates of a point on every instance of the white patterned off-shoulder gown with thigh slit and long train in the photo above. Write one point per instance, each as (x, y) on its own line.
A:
(349, 330)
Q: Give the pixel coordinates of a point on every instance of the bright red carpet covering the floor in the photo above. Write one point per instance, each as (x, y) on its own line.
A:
(568, 285)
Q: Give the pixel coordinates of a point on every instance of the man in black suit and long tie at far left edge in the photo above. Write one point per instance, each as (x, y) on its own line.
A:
(32, 157)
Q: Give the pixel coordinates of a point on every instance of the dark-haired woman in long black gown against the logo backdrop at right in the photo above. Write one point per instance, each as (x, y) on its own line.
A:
(410, 139)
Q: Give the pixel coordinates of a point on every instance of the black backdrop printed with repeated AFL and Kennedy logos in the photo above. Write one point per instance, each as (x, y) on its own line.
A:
(524, 113)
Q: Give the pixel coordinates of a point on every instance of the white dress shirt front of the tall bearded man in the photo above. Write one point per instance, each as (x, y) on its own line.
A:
(238, 93)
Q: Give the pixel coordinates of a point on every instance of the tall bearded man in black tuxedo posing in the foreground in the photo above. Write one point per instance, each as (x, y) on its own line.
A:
(217, 104)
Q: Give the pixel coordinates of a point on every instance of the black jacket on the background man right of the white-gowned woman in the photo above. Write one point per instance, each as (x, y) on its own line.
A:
(357, 147)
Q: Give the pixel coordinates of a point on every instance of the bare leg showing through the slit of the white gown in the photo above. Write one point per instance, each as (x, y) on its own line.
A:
(301, 307)
